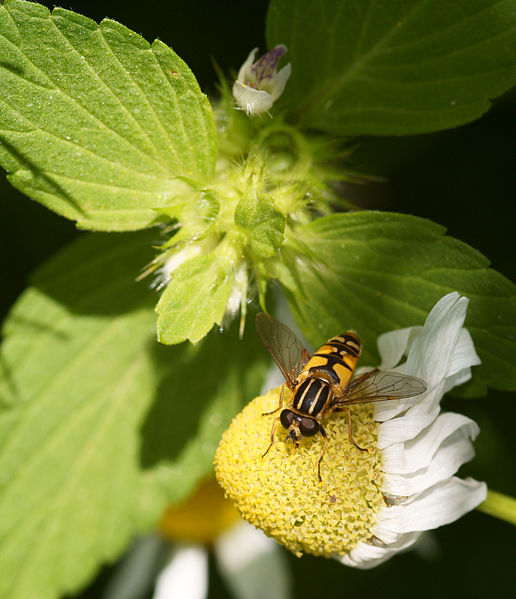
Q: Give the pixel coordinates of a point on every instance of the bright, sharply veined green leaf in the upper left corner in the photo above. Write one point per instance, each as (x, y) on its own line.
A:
(96, 123)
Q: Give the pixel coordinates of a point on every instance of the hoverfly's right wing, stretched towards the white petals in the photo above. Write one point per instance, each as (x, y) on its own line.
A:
(381, 386)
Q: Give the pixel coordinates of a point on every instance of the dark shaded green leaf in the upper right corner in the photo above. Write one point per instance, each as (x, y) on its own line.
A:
(394, 68)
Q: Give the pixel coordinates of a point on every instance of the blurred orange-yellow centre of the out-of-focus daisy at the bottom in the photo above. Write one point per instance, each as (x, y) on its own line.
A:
(201, 518)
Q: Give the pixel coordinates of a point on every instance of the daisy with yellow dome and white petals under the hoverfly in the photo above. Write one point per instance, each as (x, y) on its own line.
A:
(370, 504)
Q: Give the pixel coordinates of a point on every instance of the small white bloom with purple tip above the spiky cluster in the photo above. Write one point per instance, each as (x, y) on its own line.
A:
(258, 84)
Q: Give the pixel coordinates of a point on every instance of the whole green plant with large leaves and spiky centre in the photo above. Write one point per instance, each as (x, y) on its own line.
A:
(101, 427)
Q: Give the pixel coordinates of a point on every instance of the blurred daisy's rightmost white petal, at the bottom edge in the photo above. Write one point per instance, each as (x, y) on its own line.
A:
(252, 564)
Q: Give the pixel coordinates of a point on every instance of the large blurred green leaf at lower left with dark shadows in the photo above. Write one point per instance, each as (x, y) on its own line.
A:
(101, 427)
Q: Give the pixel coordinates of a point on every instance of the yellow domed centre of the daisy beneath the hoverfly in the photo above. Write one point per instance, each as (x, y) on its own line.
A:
(280, 492)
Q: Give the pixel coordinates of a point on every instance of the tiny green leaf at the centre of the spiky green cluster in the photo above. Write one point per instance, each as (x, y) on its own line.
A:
(263, 225)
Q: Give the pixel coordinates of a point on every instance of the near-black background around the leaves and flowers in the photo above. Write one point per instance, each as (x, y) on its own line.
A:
(463, 179)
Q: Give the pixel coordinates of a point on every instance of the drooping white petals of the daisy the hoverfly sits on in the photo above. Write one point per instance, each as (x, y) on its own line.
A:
(422, 449)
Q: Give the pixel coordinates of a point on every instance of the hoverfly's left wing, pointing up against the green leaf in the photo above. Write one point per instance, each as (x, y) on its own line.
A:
(283, 345)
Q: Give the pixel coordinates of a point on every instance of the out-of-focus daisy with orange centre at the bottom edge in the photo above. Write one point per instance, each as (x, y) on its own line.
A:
(174, 560)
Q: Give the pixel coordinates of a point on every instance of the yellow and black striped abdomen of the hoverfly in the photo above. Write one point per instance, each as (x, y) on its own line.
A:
(336, 359)
